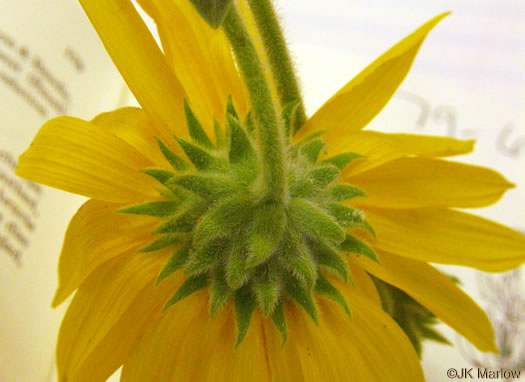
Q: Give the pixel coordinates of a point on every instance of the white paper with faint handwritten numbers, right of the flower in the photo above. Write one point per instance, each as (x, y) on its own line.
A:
(467, 82)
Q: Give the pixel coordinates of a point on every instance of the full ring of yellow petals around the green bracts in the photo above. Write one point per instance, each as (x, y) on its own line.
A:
(117, 315)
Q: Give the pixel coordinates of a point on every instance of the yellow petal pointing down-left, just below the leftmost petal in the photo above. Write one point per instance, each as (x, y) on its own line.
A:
(95, 235)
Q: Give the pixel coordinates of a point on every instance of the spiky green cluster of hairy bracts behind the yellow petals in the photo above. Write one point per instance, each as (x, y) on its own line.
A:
(246, 249)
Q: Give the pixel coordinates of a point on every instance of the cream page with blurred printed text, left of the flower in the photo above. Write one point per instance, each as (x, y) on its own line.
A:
(51, 63)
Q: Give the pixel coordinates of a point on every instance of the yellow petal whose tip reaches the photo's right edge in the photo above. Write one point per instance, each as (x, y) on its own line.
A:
(448, 237)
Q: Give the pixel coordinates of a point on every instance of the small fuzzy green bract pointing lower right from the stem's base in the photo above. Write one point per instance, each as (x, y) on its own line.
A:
(314, 221)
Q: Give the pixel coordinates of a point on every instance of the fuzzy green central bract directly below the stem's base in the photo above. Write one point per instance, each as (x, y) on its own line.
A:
(267, 229)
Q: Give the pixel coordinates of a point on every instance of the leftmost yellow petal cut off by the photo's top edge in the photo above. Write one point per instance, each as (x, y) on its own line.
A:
(139, 59)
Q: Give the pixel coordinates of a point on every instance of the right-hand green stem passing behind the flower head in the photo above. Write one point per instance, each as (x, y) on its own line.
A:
(279, 57)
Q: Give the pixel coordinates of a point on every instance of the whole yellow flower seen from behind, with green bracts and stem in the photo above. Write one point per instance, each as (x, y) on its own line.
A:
(249, 256)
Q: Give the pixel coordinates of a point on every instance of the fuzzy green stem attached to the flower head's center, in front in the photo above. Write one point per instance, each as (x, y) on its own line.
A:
(268, 125)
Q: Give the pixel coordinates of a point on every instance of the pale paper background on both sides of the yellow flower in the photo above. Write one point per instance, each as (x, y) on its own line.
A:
(468, 82)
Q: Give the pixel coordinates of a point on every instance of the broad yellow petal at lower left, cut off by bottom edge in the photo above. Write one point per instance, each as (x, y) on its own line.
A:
(107, 316)
